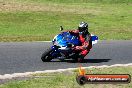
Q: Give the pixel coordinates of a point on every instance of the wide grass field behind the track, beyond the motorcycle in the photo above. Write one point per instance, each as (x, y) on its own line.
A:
(30, 20)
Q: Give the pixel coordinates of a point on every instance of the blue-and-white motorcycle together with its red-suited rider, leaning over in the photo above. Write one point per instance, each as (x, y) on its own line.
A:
(74, 44)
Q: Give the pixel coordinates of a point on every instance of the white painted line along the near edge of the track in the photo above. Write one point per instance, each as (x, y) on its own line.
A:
(27, 74)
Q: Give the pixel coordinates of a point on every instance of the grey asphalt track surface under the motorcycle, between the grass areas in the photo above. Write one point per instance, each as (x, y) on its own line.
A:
(23, 57)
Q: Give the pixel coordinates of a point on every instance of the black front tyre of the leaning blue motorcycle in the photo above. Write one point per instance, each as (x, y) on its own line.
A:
(46, 57)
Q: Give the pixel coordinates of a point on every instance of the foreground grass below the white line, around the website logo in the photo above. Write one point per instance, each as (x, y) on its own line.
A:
(67, 79)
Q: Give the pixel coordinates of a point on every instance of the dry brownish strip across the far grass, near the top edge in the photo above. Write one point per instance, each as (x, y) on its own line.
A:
(10, 7)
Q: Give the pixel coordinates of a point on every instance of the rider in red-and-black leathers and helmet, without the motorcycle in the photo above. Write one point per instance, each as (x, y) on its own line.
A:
(84, 36)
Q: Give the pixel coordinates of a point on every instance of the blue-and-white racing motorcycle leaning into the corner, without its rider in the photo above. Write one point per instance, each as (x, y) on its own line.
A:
(63, 47)
